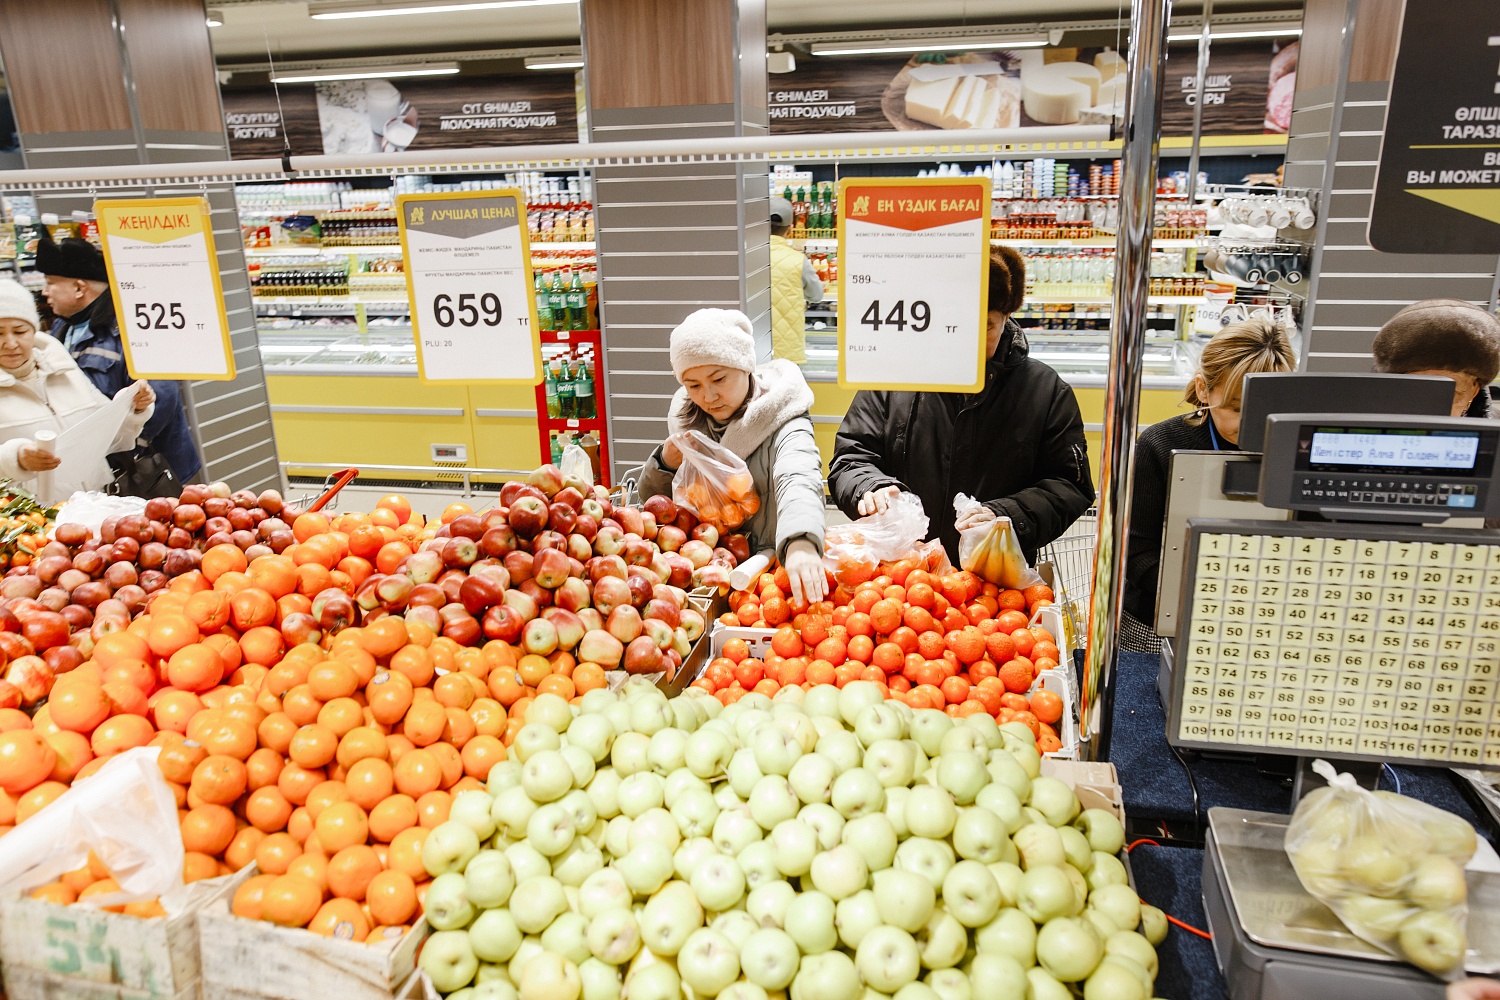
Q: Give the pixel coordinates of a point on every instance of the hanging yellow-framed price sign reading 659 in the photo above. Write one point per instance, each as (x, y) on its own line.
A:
(469, 277)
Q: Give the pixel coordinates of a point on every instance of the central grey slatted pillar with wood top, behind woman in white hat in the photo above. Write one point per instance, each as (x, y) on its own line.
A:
(680, 238)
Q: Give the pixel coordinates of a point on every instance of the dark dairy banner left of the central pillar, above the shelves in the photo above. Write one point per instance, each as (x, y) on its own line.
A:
(391, 116)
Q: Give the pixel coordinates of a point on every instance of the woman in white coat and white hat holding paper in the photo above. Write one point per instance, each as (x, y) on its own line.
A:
(43, 389)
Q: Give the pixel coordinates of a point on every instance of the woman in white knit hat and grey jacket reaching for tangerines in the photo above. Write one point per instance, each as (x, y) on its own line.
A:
(760, 413)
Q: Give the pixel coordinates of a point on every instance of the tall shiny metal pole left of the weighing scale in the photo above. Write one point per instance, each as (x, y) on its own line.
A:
(1148, 58)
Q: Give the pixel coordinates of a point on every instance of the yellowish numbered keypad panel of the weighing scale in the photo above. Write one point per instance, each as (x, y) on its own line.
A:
(1348, 647)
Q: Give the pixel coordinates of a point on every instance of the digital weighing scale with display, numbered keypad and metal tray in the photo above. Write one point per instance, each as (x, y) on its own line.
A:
(1367, 636)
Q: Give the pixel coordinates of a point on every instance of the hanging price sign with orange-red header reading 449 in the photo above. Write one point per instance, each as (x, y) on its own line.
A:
(914, 277)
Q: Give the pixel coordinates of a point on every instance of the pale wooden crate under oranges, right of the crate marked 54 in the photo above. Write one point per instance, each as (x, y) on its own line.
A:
(254, 960)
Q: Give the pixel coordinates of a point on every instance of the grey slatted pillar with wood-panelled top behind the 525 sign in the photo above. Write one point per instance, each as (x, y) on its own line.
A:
(148, 94)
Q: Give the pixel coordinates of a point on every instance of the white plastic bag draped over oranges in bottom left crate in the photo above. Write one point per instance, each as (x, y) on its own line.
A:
(125, 813)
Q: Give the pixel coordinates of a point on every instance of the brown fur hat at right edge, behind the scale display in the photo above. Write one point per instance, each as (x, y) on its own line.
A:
(1441, 335)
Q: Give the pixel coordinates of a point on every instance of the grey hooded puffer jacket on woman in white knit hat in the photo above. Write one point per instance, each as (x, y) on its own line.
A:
(775, 436)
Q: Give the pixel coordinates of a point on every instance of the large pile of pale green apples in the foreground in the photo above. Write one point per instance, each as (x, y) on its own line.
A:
(827, 843)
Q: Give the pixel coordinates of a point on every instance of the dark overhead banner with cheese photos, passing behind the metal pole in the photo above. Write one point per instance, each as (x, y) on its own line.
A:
(1247, 92)
